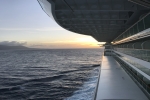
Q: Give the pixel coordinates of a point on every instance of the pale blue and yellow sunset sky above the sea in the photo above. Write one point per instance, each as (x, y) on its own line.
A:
(23, 22)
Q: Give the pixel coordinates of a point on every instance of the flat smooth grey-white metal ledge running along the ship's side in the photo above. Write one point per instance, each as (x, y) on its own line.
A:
(115, 83)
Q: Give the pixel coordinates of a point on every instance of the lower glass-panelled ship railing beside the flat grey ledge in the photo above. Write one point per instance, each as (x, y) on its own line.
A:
(137, 68)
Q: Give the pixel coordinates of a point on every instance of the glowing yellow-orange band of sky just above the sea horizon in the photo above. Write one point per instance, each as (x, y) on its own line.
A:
(82, 42)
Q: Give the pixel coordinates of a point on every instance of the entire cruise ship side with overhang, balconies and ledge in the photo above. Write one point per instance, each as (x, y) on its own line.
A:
(125, 26)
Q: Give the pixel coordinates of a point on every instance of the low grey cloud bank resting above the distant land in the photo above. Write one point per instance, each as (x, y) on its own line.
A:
(13, 43)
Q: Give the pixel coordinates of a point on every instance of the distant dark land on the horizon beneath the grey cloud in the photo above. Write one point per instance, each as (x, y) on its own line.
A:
(4, 47)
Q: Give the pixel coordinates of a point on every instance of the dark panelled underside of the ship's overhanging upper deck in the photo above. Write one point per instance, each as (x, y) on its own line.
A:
(102, 19)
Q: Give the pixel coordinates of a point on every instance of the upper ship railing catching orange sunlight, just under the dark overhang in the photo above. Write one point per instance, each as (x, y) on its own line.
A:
(140, 29)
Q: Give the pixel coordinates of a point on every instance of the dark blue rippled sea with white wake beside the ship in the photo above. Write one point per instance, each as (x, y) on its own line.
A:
(62, 74)
